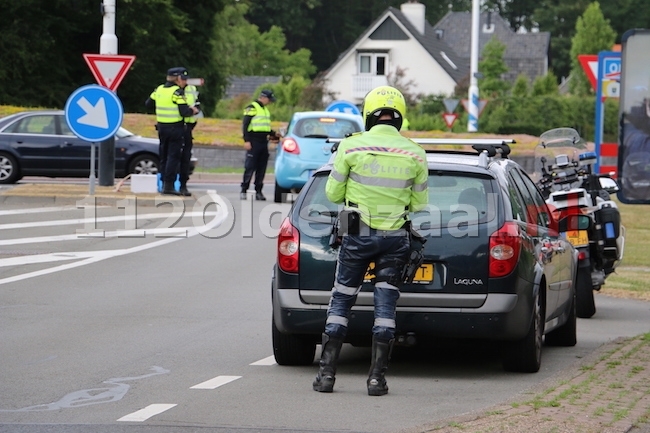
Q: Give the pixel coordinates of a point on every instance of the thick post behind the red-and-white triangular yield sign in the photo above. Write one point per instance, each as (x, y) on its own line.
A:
(107, 45)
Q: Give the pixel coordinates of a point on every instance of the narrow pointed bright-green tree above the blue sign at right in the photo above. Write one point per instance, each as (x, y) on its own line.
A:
(593, 34)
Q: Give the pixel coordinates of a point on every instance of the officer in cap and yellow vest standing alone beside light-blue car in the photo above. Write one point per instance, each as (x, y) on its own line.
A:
(256, 127)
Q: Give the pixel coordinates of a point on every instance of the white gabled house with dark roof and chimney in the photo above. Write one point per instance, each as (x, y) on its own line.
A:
(397, 39)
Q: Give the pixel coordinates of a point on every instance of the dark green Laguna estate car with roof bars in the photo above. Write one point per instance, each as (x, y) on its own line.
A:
(495, 267)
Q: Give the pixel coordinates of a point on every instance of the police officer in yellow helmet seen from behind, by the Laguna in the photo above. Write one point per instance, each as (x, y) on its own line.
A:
(380, 176)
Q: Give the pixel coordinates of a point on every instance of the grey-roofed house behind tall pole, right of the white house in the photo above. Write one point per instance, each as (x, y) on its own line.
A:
(526, 53)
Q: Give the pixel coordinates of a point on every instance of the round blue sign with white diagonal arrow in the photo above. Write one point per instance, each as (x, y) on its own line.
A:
(93, 113)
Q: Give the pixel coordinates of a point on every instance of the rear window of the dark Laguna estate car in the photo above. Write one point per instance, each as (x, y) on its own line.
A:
(455, 199)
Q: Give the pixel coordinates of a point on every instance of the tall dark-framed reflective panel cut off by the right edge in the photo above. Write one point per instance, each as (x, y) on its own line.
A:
(634, 115)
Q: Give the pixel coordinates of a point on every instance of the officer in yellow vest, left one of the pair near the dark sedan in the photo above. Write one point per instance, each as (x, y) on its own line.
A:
(171, 107)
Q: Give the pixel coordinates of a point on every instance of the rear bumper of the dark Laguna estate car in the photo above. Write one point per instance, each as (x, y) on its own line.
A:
(501, 317)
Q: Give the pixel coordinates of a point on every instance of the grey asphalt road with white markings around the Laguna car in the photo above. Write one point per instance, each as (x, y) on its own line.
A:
(144, 319)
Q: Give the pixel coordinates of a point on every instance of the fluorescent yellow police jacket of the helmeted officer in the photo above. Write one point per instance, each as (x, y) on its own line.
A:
(383, 173)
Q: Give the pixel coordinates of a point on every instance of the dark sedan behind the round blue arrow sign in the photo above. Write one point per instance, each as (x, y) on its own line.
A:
(39, 143)
